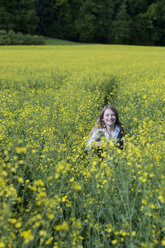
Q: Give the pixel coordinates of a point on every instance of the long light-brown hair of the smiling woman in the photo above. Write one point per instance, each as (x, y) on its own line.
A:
(100, 123)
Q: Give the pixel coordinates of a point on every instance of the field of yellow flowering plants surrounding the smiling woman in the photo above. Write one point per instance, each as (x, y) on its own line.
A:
(55, 194)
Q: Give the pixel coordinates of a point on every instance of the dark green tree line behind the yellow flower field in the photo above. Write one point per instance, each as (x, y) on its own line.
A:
(139, 22)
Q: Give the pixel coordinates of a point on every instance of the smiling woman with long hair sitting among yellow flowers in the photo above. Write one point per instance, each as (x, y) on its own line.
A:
(108, 126)
